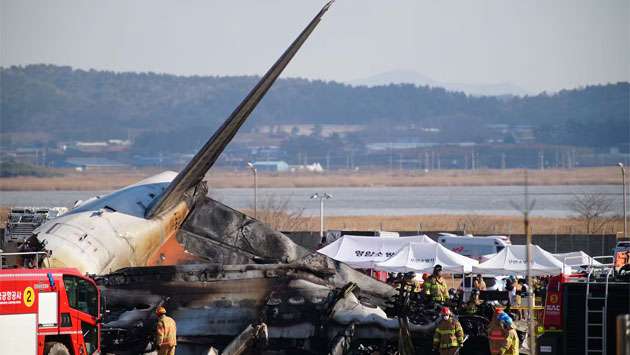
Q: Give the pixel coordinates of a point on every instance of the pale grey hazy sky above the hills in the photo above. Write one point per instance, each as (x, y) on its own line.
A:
(538, 45)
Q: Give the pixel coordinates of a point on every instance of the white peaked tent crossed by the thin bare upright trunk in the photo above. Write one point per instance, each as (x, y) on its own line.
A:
(513, 260)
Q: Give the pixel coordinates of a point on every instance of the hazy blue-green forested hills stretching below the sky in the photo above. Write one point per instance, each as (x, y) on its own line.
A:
(78, 104)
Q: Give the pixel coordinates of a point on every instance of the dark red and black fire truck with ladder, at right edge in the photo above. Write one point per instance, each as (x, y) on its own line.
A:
(581, 309)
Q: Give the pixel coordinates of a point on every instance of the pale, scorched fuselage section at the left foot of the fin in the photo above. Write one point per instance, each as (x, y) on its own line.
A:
(109, 232)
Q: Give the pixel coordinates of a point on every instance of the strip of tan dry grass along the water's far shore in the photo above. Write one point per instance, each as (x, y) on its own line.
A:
(109, 180)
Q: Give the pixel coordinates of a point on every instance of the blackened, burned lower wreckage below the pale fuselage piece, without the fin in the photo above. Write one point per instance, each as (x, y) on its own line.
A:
(252, 274)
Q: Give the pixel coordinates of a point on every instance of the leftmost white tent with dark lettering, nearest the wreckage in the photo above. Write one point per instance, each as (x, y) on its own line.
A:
(364, 252)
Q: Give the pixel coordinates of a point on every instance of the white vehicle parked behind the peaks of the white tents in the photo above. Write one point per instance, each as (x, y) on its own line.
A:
(478, 248)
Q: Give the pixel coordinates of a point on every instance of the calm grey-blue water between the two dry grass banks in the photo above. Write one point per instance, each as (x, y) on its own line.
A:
(550, 201)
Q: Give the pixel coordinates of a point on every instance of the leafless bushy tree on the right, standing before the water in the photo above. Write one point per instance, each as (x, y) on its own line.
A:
(593, 210)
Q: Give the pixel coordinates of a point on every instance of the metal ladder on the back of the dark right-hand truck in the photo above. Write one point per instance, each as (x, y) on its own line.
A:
(595, 312)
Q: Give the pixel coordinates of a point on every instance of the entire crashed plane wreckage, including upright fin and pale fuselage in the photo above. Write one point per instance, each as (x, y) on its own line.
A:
(230, 281)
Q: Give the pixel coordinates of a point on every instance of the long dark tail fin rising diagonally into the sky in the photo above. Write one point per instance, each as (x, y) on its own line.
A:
(196, 169)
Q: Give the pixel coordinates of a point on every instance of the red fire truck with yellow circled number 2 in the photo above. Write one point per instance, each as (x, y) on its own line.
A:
(49, 312)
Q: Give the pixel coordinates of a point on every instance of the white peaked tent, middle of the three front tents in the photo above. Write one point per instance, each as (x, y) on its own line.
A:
(422, 257)
